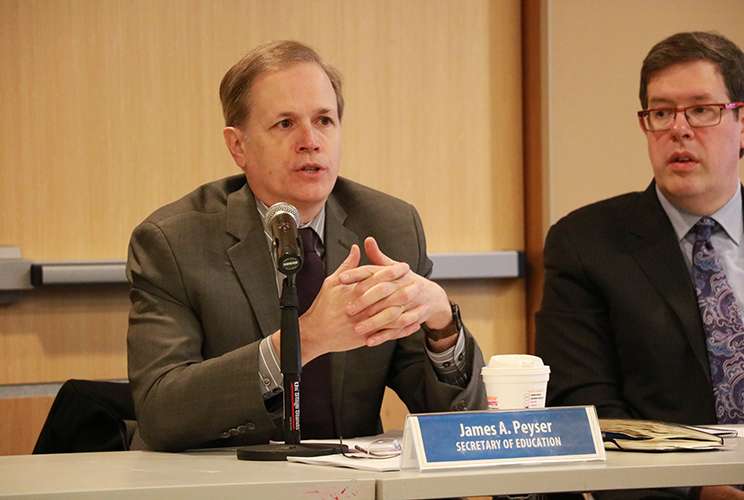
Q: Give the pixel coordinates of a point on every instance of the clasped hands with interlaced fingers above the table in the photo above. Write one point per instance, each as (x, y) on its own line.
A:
(371, 304)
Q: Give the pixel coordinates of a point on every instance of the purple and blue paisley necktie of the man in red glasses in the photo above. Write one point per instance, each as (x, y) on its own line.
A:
(724, 328)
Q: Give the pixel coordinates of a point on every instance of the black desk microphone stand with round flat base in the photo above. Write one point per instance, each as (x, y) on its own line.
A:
(291, 365)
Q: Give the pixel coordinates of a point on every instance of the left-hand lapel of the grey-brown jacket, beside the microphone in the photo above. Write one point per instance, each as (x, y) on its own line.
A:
(251, 259)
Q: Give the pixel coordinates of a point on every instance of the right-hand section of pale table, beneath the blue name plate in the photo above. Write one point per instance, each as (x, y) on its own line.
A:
(623, 470)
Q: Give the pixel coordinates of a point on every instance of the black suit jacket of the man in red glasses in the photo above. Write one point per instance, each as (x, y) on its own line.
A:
(619, 324)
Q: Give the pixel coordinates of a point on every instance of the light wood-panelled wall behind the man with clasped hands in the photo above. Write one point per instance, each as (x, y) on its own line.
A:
(109, 109)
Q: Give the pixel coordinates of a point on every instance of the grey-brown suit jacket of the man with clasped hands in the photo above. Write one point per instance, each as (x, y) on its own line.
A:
(204, 294)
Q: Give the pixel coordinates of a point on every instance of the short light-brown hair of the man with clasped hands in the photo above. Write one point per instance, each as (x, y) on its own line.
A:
(235, 89)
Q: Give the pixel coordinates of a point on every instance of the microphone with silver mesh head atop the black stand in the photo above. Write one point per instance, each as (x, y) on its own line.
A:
(283, 219)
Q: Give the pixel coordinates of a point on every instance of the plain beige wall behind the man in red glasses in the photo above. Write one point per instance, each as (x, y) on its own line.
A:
(595, 146)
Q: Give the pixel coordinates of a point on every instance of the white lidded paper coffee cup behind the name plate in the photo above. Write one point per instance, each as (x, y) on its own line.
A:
(515, 382)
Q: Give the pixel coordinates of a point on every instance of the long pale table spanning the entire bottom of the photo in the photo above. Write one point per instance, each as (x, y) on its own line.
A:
(218, 474)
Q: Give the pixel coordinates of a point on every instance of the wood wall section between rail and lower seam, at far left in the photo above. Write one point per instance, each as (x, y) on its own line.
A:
(53, 335)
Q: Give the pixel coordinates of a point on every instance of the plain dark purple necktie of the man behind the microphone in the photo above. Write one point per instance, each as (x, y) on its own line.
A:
(316, 411)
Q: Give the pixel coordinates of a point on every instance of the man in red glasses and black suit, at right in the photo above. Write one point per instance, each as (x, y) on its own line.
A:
(620, 324)
